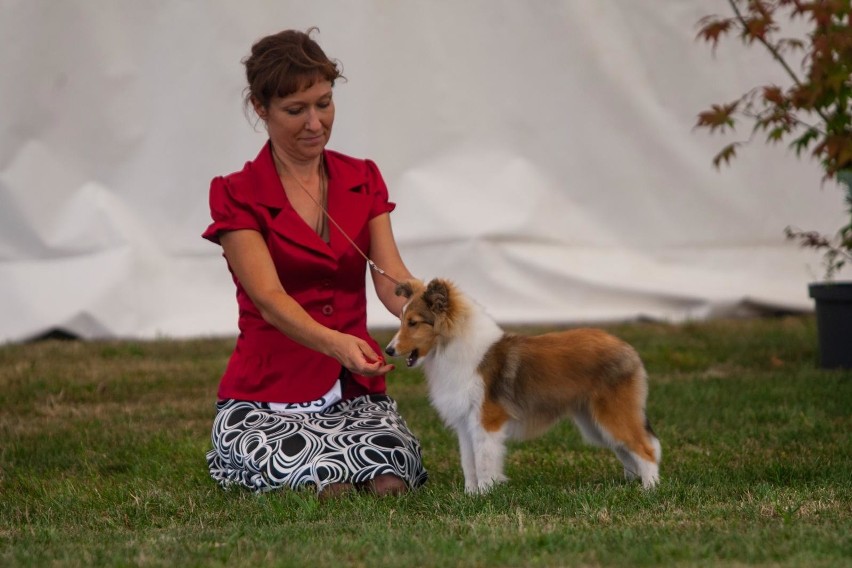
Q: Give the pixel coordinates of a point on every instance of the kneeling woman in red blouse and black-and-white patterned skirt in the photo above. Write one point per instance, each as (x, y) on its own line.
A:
(302, 401)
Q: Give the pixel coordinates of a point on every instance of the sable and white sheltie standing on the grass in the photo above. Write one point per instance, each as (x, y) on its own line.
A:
(490, 386)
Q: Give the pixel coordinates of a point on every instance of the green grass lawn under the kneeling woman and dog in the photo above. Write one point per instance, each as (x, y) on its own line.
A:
(102, 464)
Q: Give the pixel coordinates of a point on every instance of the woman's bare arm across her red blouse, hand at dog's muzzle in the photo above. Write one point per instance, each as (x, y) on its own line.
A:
(252, 264)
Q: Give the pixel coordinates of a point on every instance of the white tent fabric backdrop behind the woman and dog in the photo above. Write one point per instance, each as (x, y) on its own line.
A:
(542, 155)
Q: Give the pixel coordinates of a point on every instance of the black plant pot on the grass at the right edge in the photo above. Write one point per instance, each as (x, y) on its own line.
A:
(834, 323)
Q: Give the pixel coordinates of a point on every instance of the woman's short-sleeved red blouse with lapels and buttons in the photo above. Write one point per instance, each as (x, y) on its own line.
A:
(327, 279)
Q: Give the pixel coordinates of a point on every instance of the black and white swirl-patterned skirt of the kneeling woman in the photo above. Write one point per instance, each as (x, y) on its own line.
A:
(352, 441)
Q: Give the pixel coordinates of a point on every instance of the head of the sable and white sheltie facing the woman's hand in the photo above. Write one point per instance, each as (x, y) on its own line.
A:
(426, 320)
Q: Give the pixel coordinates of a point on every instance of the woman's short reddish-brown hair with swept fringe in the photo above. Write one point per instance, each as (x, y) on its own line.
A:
(284, 63)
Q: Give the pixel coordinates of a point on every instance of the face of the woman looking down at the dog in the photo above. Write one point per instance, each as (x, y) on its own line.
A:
(299, 125)
